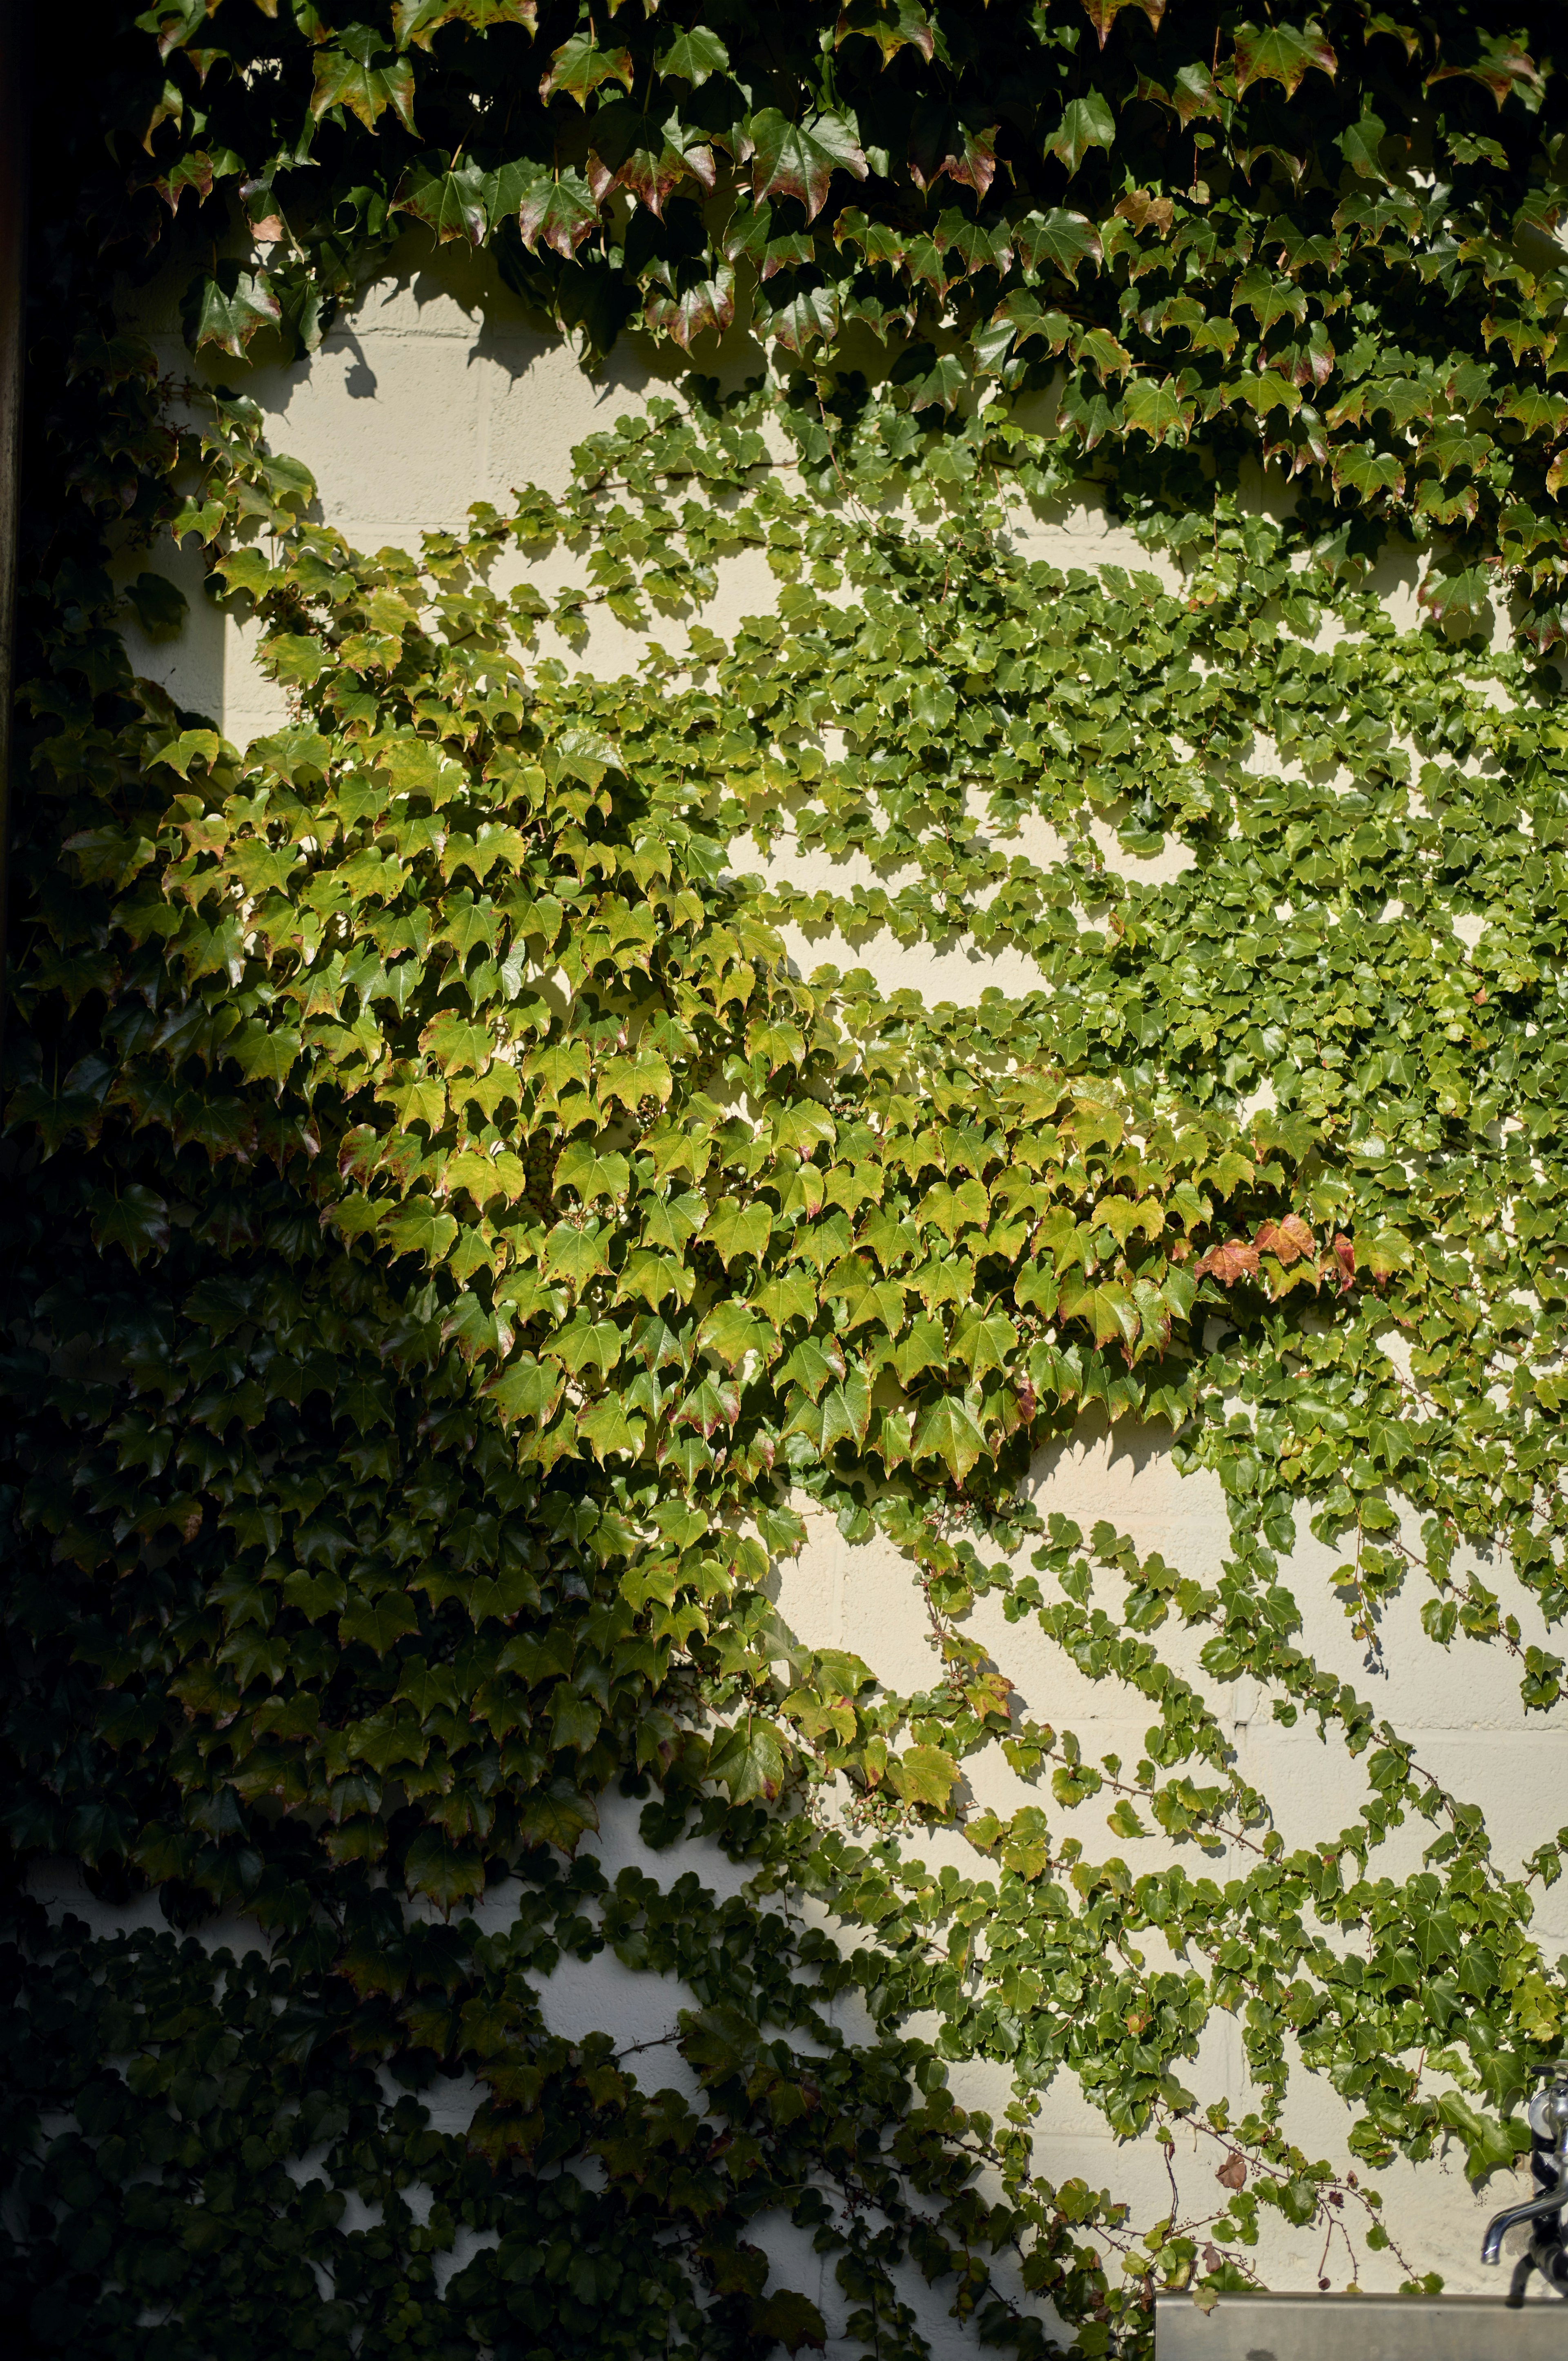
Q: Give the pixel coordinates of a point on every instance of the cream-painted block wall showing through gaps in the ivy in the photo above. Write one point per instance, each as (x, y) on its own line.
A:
(438, 393)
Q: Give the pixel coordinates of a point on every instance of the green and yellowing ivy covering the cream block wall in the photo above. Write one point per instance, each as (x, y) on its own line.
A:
(452, 1241)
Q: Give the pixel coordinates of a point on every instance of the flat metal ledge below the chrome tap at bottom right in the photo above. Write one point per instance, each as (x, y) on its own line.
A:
(1361, 2329)
